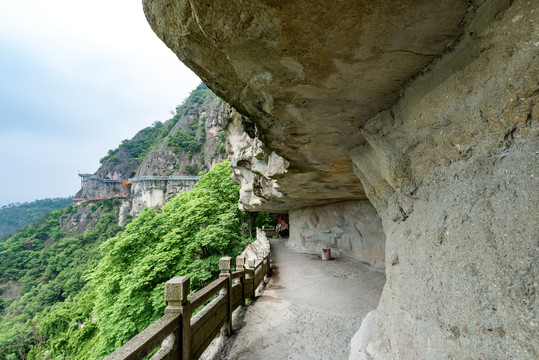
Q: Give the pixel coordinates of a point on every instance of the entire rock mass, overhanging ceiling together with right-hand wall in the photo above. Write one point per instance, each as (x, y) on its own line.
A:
(427, 109)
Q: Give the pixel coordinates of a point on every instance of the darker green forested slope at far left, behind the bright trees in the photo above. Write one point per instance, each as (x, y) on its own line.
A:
(43, 266)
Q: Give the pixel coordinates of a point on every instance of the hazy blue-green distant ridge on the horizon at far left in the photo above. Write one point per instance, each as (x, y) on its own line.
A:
(14, 216)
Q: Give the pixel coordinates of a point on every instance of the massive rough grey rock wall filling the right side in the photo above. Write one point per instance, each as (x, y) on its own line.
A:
(453, 171)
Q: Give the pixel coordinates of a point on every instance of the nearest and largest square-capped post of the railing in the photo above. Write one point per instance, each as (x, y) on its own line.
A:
(176, 292)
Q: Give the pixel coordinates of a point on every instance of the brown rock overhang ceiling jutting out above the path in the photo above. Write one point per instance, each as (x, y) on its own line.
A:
(308, 74)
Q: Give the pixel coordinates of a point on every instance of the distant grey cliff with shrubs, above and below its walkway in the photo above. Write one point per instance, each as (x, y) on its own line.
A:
(189, 143)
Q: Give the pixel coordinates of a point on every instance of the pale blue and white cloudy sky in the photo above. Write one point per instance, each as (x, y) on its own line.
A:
(76, 78)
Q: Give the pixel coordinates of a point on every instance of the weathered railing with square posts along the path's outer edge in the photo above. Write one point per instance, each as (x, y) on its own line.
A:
(179, 334)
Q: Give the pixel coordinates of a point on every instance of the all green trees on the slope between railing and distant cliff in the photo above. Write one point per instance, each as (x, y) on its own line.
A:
(79, 296)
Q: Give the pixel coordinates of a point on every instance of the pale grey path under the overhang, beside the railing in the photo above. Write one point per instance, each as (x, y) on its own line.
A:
(310, 309)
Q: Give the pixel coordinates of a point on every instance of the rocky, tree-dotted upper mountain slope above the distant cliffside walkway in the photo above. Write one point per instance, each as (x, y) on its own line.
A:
(183, 145)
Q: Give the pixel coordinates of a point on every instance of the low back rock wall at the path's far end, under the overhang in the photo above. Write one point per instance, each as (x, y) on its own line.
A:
(349, 228)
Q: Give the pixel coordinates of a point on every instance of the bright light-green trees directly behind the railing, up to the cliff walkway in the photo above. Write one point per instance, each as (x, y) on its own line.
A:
(126, 290)
